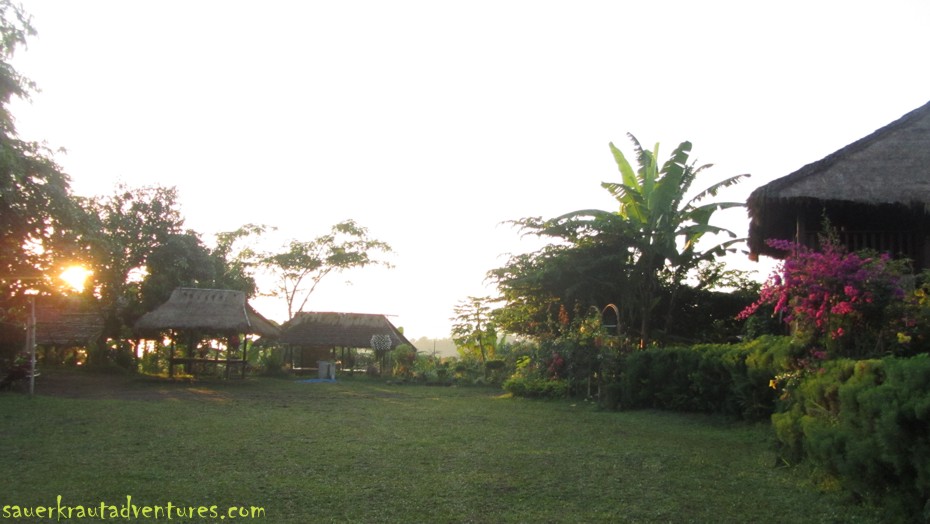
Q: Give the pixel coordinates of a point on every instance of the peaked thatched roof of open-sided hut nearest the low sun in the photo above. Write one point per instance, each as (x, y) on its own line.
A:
(207, 310)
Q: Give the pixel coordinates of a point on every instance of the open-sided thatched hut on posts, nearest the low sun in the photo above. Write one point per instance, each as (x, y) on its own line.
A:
(193, 315)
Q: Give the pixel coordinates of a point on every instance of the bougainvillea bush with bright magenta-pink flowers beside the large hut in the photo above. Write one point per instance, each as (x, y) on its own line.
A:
(846, 304)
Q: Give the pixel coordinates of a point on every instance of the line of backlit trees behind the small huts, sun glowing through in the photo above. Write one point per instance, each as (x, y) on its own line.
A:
(133, 241)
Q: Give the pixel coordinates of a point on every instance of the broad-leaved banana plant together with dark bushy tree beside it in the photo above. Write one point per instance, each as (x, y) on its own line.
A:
(640, 254)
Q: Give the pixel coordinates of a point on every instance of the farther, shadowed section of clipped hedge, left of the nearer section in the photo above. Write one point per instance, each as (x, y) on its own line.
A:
(731, 379)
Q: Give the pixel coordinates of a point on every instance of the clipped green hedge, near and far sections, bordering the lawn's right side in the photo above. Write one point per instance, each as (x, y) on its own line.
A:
(865, 422)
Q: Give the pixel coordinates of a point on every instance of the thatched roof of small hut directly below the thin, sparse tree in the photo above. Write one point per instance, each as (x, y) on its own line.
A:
(329, 330)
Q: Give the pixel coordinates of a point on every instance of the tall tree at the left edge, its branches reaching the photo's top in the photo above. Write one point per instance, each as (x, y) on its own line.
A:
(37, 213)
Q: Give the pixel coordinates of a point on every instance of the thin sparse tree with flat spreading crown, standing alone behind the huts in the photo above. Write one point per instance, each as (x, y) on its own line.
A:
(301, 266)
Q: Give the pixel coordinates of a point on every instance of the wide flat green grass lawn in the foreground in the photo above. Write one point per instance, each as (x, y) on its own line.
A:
(366, 451)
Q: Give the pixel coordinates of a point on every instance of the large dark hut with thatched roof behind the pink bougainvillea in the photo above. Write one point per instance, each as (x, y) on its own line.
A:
(875, 193)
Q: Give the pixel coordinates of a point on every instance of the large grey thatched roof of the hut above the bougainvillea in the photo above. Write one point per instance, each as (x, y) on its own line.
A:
(889, 168)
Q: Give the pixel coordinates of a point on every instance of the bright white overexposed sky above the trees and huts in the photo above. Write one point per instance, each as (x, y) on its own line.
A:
(433, 123)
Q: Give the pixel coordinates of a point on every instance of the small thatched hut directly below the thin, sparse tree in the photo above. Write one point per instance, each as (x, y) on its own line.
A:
(313, 337)
